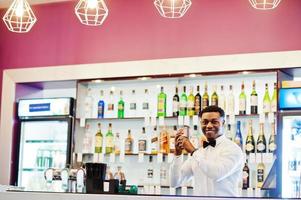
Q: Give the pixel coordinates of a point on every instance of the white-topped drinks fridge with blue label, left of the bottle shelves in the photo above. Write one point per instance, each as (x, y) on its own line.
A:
(46, 127)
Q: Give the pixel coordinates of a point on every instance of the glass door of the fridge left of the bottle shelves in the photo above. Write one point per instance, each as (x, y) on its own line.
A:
(43, 144)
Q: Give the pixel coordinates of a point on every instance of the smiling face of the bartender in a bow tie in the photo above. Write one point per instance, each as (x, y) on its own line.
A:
(212, 125)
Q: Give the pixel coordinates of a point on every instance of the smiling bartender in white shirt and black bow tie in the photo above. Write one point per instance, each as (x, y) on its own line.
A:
(216, 166)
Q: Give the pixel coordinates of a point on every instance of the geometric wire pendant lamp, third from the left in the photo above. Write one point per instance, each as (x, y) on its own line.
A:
(172, 8)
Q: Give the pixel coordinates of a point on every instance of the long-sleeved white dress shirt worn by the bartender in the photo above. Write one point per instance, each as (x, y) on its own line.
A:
(217, 170)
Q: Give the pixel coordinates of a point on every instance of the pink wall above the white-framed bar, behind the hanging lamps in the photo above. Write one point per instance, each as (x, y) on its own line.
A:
(134, 30)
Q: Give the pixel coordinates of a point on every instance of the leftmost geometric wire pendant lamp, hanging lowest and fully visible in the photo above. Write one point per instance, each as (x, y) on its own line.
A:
(19, 18)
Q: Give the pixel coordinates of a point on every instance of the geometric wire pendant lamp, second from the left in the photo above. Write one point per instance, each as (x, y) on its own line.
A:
(91, 12)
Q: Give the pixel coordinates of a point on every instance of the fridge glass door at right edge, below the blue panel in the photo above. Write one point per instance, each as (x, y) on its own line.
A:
(291, 156)
